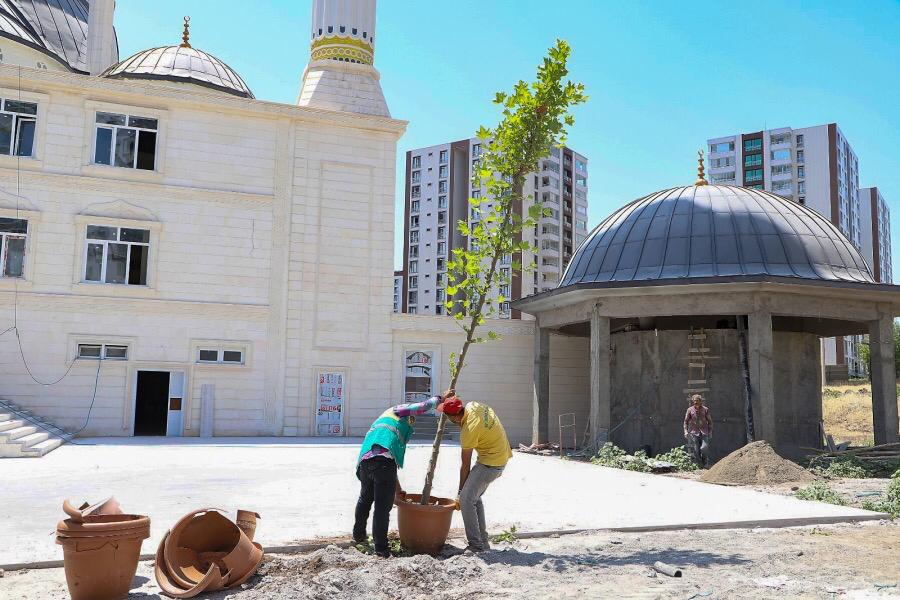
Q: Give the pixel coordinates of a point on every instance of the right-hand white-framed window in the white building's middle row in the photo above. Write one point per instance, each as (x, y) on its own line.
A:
(118, 255)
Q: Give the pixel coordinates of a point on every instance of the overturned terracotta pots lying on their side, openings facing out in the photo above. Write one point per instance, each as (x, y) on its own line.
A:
(204, 552)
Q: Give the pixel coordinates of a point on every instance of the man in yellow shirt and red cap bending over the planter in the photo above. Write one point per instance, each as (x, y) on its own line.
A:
(481, 431)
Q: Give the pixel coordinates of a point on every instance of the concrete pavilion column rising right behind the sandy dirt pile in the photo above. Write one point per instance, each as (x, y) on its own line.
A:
(762, 375)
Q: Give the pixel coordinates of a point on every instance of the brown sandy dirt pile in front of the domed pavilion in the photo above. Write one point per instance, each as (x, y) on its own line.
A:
(756, 464)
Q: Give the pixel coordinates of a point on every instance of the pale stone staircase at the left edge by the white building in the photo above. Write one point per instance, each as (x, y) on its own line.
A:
(24, 434)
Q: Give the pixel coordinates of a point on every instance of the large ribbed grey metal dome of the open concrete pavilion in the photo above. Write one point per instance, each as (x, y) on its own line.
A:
(711, 231)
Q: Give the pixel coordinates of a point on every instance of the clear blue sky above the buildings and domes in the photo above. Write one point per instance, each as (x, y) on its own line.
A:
(662, 76)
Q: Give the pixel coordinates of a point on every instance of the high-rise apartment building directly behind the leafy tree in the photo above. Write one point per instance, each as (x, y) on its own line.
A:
(438, 188)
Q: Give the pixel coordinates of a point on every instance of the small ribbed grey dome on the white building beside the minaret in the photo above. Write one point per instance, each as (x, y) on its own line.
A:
(181, 64)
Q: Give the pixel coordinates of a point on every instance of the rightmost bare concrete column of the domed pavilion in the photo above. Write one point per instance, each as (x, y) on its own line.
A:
(884, 379)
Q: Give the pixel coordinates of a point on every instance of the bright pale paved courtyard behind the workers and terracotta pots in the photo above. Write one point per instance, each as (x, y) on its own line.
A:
(304, 489)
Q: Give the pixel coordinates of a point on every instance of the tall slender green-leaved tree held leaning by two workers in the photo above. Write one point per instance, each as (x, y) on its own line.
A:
(535, 117)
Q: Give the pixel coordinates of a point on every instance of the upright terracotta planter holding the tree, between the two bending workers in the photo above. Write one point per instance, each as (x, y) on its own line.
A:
(424, 529)
